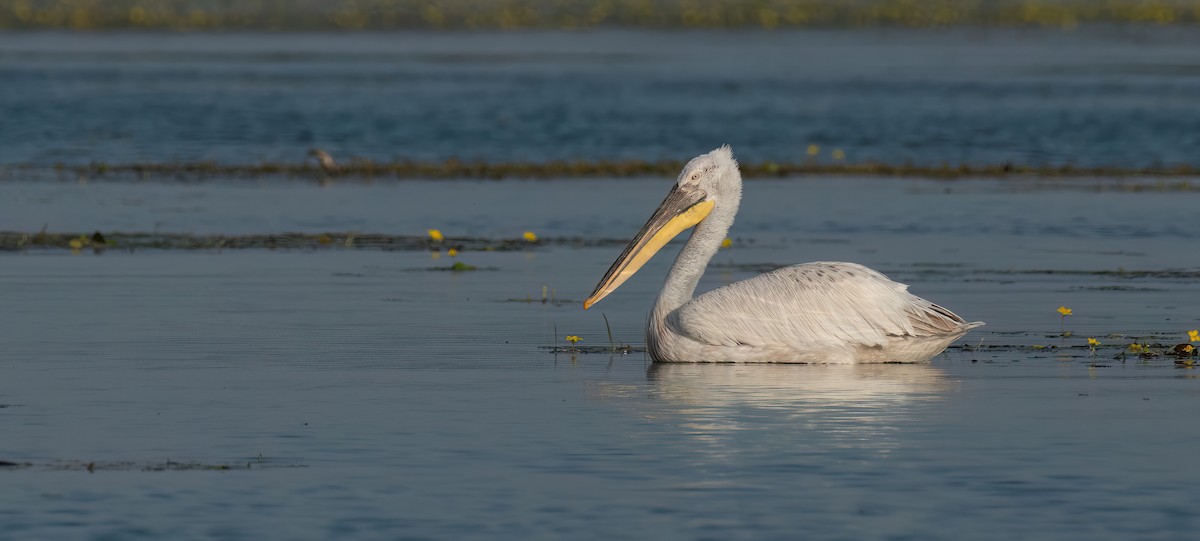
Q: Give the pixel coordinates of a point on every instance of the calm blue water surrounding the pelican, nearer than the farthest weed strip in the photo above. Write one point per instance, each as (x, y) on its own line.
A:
(377, 400)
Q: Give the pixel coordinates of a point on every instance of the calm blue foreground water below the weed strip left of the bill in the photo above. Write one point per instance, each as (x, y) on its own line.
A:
(375, 402)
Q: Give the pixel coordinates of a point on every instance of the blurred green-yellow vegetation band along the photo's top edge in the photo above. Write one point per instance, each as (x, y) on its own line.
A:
(385, 15)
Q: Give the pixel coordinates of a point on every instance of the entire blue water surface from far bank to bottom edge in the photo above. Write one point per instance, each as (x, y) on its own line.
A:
(362, 395)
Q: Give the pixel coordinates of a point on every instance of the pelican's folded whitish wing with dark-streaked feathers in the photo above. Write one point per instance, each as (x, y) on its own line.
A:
(811, 306)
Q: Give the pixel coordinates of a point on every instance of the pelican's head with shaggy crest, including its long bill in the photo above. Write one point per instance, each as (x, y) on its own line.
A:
(709, 181)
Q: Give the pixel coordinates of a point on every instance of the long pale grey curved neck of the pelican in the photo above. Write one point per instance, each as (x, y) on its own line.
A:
(691, 265)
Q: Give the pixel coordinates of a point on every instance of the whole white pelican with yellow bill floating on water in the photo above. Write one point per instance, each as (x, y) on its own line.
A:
(817, 312)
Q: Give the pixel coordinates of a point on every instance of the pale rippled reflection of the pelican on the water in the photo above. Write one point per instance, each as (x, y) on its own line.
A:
(841, 406)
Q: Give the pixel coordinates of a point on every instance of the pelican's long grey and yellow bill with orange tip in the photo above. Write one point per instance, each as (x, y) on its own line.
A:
(682, 209)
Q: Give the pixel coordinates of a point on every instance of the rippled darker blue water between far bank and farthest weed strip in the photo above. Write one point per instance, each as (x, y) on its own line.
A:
(1106, 95)
